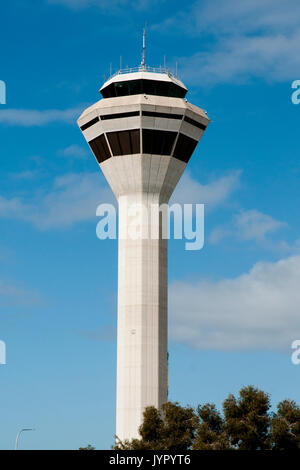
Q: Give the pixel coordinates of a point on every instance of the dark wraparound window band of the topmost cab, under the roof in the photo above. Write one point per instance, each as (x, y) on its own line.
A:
(148, 87)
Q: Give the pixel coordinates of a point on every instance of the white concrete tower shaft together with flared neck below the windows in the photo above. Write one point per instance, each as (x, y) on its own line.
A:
(142, 185)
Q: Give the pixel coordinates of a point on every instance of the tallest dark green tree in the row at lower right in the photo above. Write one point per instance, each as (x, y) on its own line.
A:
(247, 420)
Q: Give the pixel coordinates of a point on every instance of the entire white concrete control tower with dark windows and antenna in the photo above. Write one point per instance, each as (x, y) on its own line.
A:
(142, 133)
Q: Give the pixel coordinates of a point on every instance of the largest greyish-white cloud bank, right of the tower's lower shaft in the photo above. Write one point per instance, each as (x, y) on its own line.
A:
(258, 310)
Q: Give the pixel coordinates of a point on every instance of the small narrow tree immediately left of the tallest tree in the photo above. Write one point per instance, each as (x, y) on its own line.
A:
(211, 434)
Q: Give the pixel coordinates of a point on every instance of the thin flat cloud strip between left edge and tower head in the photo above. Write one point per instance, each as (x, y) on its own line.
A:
(29, 117)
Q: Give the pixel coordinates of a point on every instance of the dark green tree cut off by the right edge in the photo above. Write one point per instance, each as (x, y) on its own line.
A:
(285, 426)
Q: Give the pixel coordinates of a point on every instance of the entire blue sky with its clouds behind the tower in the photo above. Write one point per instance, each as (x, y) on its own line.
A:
(234, 305)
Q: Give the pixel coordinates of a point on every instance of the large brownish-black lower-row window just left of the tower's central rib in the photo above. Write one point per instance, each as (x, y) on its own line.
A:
(124, 142)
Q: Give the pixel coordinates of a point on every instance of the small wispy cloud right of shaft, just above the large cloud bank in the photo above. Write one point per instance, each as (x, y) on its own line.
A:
(248, 225)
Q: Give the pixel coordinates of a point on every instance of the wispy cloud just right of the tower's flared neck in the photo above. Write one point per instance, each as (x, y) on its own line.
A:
(212, 194)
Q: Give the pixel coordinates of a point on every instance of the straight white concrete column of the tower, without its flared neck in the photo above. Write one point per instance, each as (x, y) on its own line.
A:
(142, 314)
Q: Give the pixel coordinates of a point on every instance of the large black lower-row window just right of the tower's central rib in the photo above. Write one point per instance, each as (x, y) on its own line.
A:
(158, 142)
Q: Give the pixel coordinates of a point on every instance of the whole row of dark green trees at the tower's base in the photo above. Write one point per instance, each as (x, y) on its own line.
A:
(246, 424)
